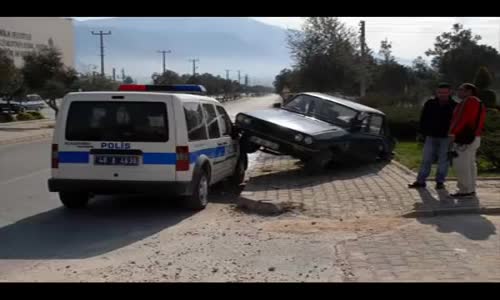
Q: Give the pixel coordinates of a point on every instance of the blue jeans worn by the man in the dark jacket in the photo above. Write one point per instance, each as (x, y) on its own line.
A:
(435, 147)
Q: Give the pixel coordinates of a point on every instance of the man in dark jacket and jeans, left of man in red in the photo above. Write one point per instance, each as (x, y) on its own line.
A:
(435, 122)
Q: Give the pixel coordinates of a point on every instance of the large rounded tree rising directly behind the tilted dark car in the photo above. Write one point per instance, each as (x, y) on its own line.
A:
(326, 53)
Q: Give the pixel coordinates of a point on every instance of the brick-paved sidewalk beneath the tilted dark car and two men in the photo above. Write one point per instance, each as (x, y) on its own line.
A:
(350, 192)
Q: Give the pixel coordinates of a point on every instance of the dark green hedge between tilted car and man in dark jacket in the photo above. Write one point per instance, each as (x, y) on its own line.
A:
(403, 122)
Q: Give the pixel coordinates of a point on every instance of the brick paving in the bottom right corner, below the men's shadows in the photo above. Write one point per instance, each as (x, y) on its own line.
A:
(453, 248)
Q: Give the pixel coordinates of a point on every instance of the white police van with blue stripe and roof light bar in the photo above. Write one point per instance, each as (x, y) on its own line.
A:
(143, 139)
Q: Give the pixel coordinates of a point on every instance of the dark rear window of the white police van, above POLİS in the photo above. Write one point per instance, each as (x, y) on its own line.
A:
(117, 121)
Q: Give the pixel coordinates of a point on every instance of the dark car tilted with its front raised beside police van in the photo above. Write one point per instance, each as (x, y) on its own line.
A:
(318, 129)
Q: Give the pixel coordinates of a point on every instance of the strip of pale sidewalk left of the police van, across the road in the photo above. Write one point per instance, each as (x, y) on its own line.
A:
(11, 133)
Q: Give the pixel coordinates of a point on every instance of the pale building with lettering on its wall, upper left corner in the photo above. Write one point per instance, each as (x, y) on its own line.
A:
(20, 35)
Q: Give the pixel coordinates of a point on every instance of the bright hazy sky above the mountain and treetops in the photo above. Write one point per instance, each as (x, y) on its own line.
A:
(410, 36)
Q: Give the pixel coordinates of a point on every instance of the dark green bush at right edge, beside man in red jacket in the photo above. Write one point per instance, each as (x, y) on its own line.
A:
(490, 141)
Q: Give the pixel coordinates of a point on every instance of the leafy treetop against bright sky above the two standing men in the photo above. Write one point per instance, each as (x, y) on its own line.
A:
(458, 37)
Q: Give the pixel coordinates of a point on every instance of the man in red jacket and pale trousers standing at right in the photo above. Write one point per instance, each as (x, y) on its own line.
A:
(469, 115)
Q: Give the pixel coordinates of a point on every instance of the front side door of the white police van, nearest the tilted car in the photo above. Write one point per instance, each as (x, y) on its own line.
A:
(231, 145)
